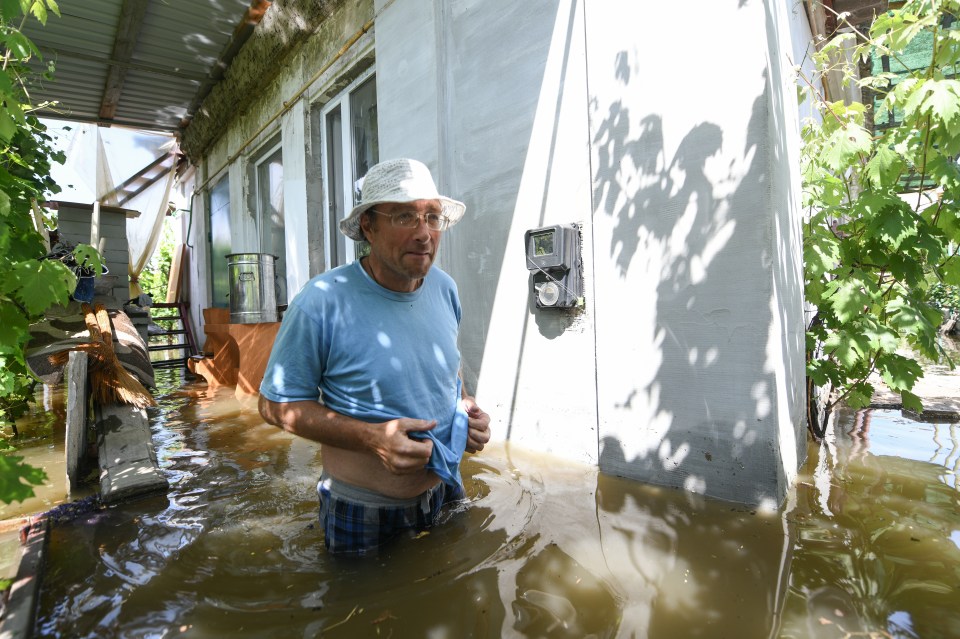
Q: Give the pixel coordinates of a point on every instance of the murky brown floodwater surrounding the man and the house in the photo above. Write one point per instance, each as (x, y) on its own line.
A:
(868, 542)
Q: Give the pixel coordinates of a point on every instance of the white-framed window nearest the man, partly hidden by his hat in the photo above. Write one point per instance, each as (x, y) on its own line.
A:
(350, 147)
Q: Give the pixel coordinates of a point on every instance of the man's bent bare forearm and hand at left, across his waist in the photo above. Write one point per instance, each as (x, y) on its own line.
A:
(389, 441)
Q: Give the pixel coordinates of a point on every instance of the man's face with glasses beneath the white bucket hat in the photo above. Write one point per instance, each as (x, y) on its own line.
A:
(400, 257)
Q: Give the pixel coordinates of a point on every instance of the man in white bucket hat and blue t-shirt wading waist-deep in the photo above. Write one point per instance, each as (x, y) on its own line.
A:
(378, 337)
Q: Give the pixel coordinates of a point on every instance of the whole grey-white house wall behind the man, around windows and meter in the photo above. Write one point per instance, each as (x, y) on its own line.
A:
(684, 366)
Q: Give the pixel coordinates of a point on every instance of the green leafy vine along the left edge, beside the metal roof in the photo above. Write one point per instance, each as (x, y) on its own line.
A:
(28, 285)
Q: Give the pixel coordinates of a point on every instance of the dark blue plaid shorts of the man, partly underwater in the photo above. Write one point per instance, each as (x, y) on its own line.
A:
(357, 521)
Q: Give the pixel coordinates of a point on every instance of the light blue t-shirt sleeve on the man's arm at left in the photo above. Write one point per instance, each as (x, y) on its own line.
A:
(295, 367)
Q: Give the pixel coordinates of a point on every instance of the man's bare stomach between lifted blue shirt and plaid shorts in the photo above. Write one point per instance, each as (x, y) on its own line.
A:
(366, 471)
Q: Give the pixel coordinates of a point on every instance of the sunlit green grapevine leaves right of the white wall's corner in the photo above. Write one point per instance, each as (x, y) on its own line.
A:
(873, 252)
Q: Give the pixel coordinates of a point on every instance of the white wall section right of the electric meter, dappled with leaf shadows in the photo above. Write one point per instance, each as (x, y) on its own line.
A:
(696, 255)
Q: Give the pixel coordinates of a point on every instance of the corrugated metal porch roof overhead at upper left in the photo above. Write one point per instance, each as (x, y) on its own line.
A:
(140, 63)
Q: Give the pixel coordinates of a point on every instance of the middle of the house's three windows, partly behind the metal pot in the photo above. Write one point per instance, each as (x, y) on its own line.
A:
(268, 173)
